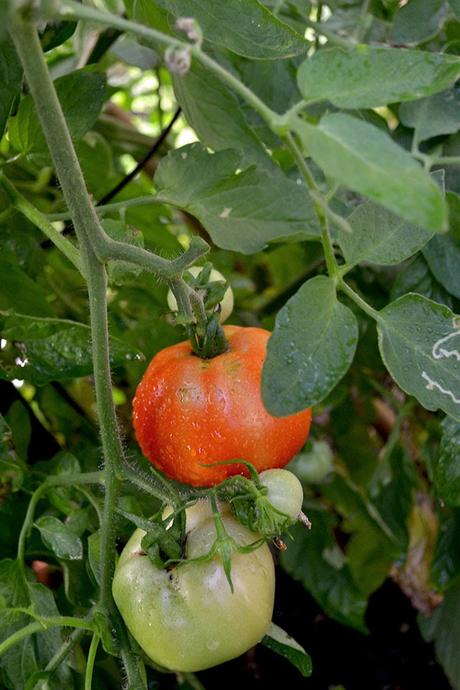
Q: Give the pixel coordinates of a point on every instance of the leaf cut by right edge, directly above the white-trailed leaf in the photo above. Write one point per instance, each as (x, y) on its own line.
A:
(443, 252)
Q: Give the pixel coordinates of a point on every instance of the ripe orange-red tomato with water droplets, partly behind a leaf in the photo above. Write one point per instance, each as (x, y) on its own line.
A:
(189, 412)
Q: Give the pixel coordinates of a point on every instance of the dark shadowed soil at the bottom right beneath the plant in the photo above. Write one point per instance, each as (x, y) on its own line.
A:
(393, 657)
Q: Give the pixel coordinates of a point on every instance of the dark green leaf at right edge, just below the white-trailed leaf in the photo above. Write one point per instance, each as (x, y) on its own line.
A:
(446, 467)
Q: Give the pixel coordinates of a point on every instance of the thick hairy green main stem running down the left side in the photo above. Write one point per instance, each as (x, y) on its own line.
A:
(89, 233)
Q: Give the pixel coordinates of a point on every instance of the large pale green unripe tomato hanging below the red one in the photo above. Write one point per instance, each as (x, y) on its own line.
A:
(187, 618)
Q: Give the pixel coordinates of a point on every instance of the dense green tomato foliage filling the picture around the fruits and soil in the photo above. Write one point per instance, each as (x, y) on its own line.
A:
(328, 189)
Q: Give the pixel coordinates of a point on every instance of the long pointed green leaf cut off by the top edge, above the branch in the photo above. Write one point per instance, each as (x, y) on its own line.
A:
(244, 27)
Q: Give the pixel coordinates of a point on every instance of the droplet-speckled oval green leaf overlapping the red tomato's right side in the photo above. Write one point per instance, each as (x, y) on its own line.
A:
(310, 350)
